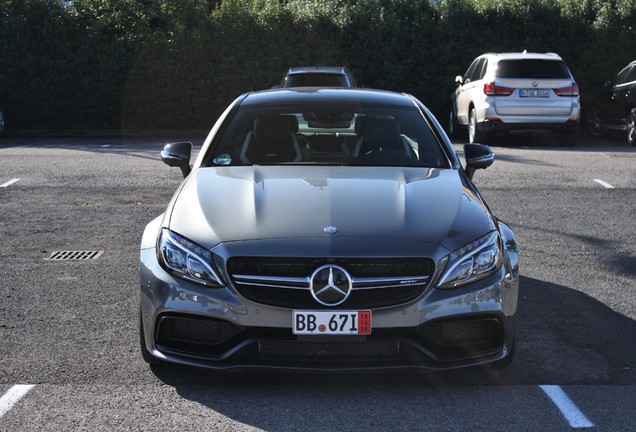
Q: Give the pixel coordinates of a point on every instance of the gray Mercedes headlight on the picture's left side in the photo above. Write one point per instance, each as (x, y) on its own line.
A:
(186, 259)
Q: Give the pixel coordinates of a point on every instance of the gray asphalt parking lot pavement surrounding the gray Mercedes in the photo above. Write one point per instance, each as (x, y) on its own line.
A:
(69, 328)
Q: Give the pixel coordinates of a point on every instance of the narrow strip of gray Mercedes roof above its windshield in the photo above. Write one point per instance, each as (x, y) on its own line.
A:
(292, 95)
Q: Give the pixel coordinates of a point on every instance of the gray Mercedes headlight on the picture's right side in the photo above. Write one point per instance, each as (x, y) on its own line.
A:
(476, 260)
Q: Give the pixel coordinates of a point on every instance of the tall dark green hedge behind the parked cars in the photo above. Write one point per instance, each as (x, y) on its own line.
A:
(176, 64)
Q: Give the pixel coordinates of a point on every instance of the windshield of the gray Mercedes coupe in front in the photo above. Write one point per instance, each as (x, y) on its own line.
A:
(328, 134)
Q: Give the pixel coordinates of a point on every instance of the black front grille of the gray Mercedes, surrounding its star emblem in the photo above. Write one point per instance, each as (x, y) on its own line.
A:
(285, 282)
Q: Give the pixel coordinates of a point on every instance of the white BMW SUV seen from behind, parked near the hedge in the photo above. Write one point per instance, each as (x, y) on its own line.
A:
(524, 91)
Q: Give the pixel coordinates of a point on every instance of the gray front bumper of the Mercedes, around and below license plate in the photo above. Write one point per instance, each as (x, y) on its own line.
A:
(217, 328)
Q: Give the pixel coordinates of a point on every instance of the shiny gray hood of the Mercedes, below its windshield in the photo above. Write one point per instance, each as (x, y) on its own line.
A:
(226, 204)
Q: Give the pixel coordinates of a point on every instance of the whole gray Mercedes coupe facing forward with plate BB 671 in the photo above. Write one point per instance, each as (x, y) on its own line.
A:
(328, 229)
